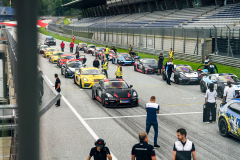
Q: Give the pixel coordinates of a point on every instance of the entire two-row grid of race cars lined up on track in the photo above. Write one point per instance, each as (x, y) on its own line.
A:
(117, 93)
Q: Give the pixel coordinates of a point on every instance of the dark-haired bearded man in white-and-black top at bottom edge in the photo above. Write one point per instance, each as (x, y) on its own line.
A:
(183, 148)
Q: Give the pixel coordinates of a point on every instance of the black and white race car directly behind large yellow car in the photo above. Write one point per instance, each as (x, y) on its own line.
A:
(68, 69)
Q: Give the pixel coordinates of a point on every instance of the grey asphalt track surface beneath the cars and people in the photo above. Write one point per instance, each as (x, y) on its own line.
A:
(69, 131)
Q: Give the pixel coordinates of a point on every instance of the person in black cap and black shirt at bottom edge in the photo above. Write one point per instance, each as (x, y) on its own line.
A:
(100, 152)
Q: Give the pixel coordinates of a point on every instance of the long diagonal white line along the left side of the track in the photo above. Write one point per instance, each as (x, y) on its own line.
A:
(81, 119)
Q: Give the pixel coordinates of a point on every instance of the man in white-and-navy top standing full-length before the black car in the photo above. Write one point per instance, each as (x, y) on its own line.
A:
(152, 110)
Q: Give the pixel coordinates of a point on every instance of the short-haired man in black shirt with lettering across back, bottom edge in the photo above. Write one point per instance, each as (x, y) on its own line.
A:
(143, 150)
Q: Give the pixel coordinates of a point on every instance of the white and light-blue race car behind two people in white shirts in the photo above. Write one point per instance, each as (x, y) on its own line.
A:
(220, 82)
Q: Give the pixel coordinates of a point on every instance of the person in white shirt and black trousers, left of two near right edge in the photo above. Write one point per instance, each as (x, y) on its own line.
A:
(210, 102)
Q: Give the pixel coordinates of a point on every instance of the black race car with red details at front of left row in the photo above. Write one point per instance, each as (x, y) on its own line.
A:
(114, 93)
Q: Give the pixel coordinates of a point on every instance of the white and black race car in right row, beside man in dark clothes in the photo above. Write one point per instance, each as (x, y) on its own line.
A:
(184, 74)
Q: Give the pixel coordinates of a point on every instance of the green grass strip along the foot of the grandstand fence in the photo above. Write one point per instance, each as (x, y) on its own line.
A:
(221, 68)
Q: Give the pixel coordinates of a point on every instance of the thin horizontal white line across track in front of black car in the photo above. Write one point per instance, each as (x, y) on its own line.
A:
(167, 114)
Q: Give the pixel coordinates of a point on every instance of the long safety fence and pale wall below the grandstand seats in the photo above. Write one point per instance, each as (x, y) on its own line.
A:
(188, 44)
